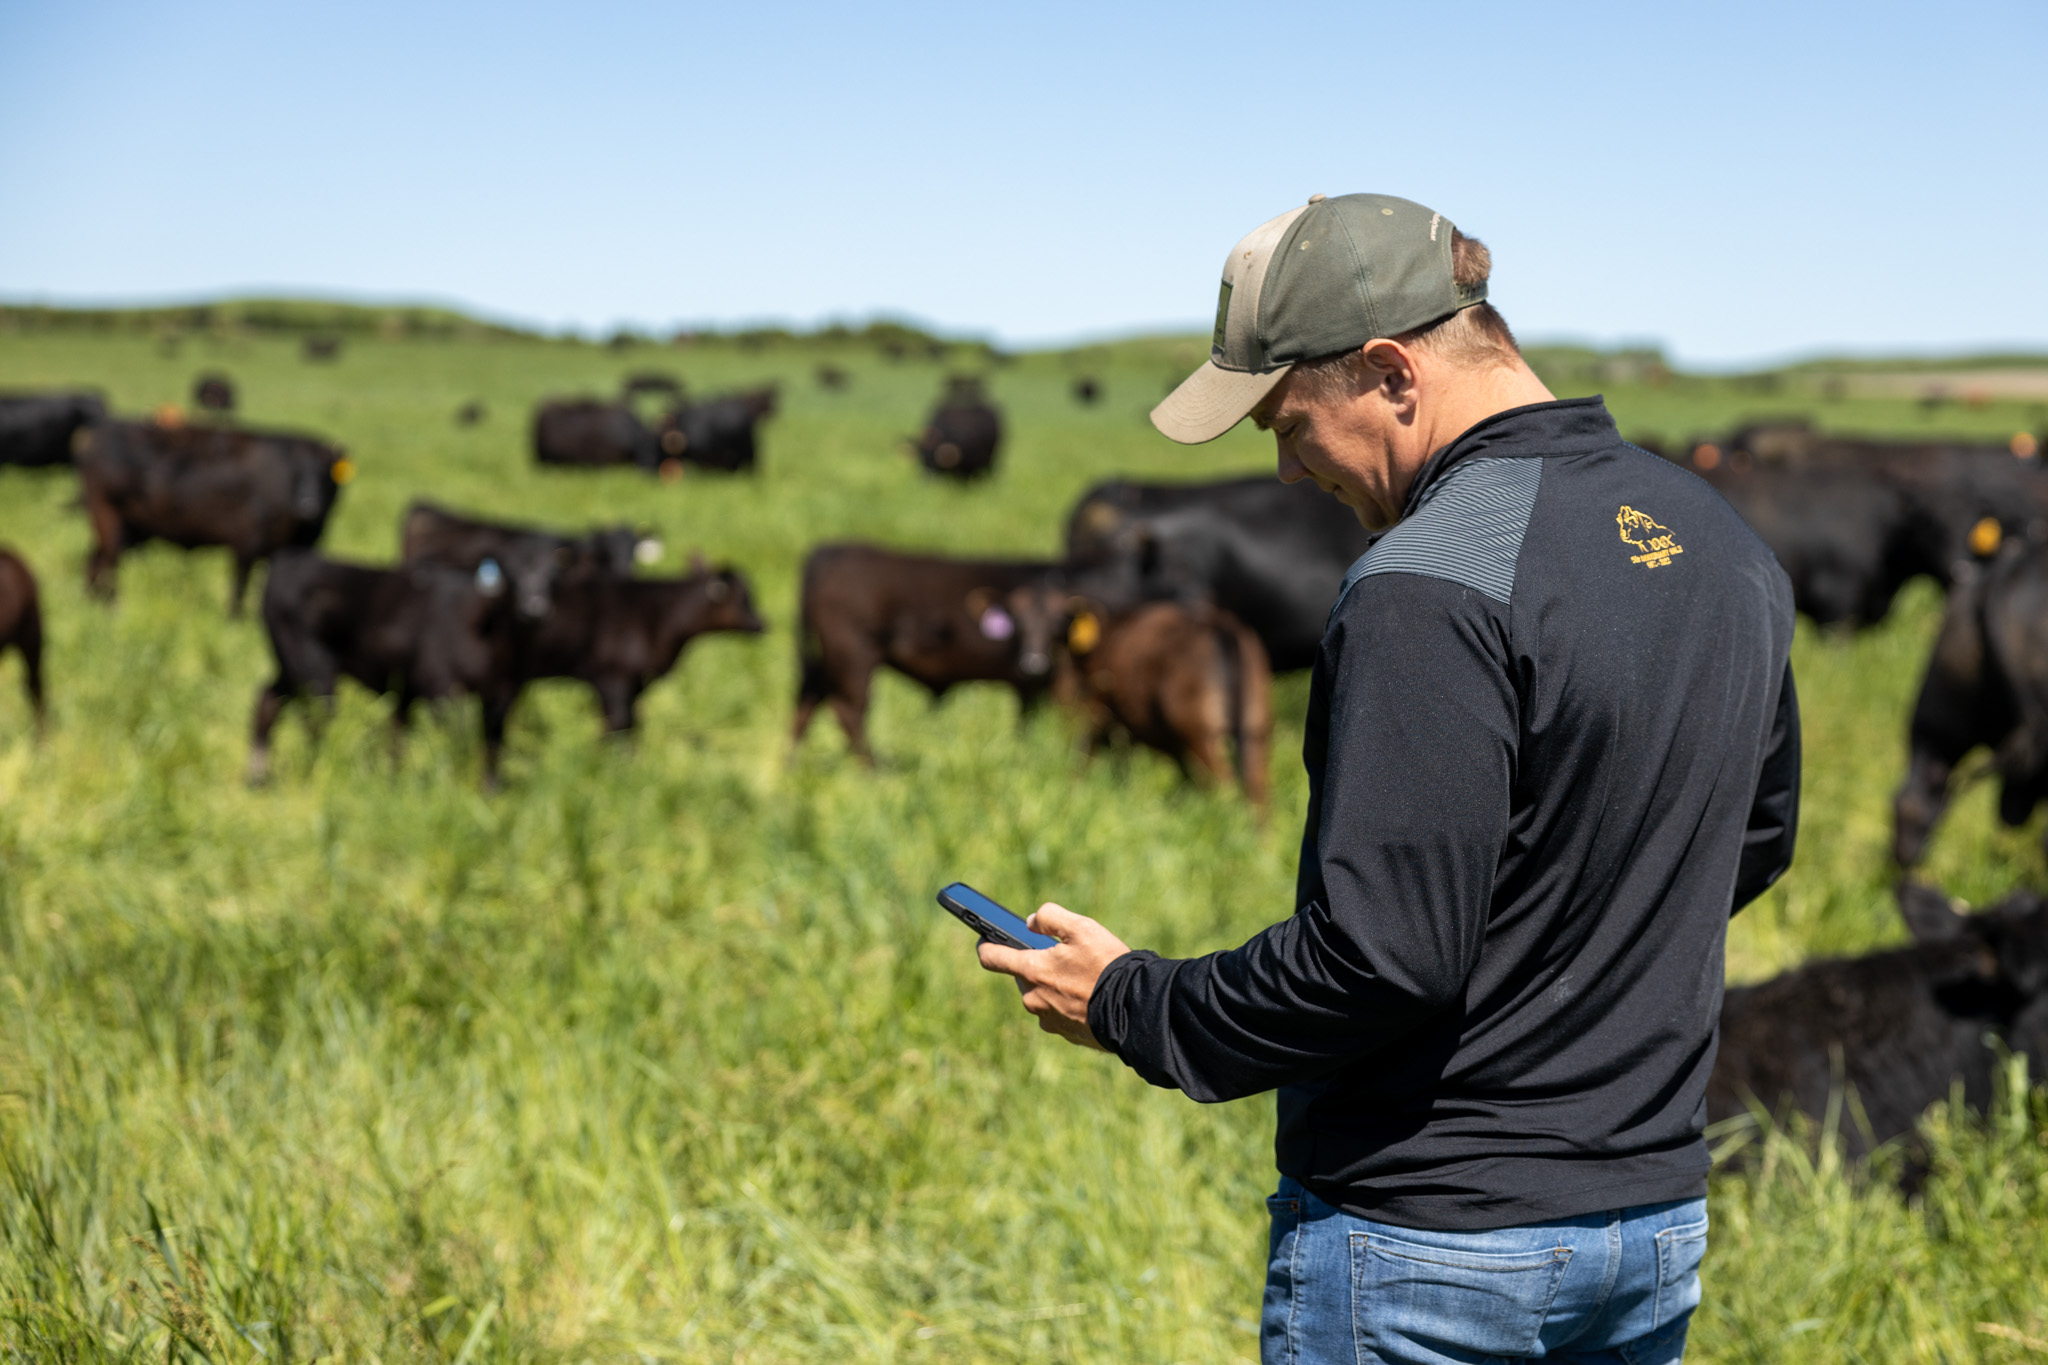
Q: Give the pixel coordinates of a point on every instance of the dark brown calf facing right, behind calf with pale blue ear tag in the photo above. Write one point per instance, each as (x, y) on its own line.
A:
(624, 635)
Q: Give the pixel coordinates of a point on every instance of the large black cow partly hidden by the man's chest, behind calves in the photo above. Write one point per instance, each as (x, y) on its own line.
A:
(1269, 554)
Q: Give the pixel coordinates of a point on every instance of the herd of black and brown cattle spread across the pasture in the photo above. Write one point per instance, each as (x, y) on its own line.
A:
(1164, 621)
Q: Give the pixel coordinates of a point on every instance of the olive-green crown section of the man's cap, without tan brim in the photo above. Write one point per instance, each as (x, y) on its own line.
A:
(1353, 269)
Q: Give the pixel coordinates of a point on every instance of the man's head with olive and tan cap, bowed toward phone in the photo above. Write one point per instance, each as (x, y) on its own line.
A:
(1359, 333)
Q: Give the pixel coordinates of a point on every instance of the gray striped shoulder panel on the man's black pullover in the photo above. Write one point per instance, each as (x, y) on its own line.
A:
(1467, 529)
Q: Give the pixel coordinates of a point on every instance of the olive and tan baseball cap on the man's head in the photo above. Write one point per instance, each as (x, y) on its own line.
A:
(1320, 279)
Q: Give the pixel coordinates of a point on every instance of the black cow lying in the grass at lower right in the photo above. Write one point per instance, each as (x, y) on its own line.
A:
(1897, 1026)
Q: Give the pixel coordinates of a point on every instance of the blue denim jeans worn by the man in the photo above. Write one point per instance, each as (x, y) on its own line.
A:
(1613, 1288)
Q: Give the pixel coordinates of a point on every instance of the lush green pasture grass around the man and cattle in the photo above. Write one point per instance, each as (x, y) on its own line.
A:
(665, 1053)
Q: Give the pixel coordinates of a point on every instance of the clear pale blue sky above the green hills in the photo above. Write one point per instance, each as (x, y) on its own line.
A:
(1736, 181)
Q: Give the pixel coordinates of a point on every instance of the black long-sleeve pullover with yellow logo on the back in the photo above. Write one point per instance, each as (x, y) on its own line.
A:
(1551, 746)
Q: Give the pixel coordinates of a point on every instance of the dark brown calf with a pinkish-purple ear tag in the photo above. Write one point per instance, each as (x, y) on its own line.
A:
(937, 621)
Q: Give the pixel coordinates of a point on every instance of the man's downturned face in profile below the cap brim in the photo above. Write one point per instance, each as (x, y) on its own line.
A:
(1347, 445)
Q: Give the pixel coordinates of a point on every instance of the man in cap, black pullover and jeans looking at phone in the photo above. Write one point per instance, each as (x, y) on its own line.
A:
(1551, 748)
